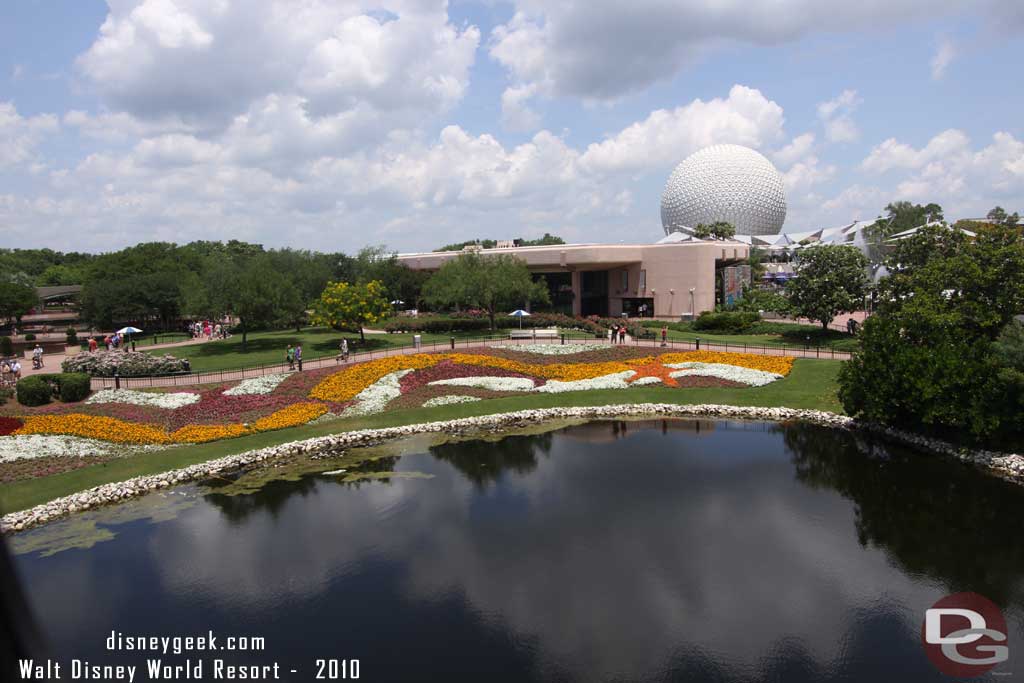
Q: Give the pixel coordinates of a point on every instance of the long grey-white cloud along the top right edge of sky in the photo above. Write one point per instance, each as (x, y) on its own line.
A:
(604, 50)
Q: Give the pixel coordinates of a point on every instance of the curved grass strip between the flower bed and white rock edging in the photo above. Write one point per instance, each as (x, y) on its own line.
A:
(813, 385)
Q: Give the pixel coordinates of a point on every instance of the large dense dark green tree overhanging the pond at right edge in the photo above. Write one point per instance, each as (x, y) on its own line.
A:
(930, 357)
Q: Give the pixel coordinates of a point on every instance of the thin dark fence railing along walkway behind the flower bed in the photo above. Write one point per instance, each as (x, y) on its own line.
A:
(454, 344)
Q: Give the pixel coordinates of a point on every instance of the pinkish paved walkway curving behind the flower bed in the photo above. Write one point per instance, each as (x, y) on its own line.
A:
(218, 377)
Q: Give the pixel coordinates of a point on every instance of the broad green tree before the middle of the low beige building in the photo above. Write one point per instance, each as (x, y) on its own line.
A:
(492, 283)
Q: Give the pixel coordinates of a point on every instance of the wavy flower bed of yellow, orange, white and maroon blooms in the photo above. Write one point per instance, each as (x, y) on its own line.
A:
(283, 401)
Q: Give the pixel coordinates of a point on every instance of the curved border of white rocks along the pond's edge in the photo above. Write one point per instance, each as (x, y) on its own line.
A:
(1010, 466)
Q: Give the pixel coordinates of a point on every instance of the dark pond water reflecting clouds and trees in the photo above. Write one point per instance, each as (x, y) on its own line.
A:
(613, 551)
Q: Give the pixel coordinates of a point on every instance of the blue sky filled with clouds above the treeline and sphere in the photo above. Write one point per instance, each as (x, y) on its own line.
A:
(337, 124)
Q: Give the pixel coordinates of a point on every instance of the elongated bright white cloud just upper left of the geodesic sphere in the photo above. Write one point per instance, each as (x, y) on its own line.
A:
(666, 138)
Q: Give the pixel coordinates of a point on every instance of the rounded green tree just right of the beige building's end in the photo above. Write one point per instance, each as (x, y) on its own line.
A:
(831, 280)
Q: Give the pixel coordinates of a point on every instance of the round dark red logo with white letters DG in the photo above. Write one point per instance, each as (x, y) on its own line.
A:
(965, 635)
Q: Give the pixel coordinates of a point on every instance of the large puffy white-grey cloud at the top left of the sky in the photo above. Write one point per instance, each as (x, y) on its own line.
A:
(206, 63)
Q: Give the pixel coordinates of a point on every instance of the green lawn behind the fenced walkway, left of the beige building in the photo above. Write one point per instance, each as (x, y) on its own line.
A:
(269, 348)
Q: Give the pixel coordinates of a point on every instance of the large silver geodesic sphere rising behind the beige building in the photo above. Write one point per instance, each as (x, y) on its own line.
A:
(727, 183)
